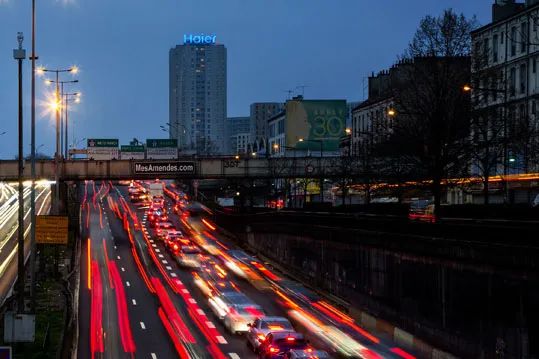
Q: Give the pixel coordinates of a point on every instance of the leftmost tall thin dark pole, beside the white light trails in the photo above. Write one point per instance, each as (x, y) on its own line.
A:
(19, 55)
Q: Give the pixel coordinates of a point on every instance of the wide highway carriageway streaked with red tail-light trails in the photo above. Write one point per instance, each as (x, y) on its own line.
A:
(137, 301)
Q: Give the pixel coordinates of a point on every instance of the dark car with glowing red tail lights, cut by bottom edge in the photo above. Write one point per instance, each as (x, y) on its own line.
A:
(279, 344)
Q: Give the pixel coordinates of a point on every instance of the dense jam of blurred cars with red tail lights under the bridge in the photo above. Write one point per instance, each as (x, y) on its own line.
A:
(302, 324)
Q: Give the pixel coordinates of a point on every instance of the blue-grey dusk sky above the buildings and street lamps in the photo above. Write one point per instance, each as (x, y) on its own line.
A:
(122, 48)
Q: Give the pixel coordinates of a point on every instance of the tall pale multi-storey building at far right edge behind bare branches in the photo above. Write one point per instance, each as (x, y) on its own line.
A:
(505, 87)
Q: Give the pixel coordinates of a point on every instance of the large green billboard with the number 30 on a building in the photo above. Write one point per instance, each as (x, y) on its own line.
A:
(315, 124)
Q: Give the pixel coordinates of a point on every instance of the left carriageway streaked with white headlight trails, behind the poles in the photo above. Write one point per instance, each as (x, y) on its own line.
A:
(9, 207)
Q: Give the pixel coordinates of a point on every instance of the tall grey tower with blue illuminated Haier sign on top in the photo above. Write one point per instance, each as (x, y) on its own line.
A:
(197, 99)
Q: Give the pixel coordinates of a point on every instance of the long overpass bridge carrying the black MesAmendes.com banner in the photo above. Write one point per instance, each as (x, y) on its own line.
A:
(189, 167)
